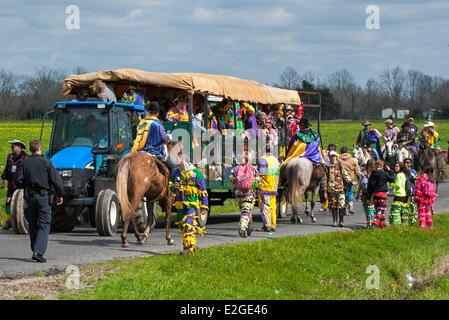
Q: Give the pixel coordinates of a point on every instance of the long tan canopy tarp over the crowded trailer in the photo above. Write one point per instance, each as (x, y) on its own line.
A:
(225, 86)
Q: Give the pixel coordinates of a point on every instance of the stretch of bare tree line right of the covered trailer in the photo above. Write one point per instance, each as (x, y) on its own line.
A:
(395, 88)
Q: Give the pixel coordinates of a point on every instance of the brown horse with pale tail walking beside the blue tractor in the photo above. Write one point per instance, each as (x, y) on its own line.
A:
(138, 176)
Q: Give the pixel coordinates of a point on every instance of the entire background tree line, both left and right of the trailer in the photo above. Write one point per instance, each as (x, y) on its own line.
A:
(30, 96)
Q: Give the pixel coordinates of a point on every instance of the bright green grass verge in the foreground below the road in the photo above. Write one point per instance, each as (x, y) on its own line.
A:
(321, 266)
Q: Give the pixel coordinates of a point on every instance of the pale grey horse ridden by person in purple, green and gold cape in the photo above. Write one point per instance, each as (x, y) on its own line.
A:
(297, 176)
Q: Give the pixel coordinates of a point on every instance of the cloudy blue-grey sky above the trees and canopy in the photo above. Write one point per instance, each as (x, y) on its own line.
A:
(253, 39)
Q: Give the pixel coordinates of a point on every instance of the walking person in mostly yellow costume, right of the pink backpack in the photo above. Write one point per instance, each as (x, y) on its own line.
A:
(268, 167)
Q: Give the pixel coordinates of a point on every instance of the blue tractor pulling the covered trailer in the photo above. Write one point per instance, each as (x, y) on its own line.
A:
(88, 139)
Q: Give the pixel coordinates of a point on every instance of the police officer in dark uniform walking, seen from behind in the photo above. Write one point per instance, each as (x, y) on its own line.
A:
(37, 176)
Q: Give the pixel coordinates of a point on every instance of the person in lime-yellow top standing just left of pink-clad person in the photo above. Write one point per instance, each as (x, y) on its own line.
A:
(400, 210)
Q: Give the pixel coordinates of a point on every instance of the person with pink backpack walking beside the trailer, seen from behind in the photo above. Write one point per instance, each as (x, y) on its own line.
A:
(245, 178)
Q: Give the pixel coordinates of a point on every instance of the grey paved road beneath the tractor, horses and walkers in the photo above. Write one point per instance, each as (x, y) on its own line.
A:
(84, 246)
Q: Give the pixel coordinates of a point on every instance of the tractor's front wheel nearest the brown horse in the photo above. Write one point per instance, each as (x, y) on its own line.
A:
(107, 213)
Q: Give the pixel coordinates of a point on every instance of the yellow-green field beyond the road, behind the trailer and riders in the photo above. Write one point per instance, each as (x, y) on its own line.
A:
(339, 132)
